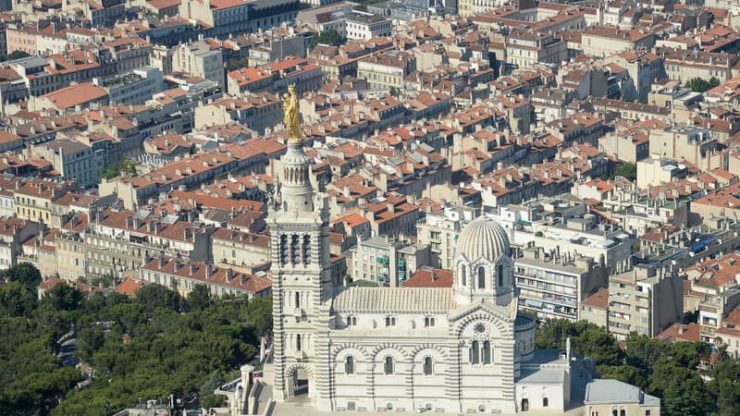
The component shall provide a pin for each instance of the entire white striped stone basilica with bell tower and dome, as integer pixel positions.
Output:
(459, 349)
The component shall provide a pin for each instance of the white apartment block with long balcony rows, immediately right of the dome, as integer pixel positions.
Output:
(553, 286)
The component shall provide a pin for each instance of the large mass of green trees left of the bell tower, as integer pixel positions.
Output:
(144, 348)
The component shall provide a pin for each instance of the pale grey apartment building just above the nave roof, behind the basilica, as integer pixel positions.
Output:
(387, 262)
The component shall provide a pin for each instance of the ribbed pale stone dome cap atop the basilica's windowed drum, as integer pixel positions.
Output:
(483, 237)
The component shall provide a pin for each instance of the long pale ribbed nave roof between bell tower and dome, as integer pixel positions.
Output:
(398, 300)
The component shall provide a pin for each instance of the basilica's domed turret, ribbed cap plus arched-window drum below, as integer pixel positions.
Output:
(483, 265)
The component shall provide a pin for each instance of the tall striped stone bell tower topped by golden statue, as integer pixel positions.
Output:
(302, 285)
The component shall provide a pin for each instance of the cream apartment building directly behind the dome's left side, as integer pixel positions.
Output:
(441, 229)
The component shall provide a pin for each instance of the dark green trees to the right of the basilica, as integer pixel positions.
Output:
(668, 371)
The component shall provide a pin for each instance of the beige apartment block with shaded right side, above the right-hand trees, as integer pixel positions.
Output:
(644, 301)
